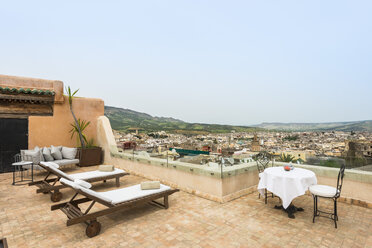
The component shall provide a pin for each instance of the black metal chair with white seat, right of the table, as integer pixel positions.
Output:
(329, 192)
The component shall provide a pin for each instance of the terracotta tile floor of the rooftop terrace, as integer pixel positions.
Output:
(26, 221)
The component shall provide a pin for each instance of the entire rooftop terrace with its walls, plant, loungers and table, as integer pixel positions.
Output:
(65, 183)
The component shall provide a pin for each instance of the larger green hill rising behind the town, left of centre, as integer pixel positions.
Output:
(124, 119)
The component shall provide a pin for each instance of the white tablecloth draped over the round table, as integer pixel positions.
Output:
(286, 184)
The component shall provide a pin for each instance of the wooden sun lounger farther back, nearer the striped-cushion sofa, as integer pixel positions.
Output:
(51, 186)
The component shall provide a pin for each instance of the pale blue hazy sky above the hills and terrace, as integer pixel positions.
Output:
(233, 62)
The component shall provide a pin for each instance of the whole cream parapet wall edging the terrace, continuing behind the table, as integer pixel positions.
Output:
(217, 185)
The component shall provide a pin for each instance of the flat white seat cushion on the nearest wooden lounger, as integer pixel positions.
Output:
(130, 193)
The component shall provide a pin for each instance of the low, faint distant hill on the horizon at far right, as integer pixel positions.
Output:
(364, 126)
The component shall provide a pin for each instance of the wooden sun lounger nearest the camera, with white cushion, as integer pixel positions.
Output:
(75, 215)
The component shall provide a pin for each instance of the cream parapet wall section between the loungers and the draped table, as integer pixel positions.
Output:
(208, 183)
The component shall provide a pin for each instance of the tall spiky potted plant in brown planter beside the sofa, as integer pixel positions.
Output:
(89, 154)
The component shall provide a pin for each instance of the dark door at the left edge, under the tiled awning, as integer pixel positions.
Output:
(13, 138)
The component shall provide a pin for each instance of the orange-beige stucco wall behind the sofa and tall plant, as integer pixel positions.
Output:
(54, 130)
